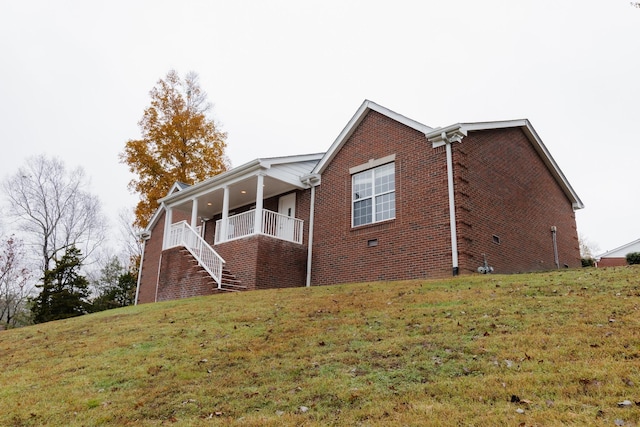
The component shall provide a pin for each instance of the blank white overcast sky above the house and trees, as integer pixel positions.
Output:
(286, 76)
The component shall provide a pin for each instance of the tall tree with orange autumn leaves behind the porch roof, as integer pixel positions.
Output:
(180, 143)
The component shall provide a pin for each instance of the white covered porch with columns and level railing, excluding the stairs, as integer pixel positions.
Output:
(233, 203)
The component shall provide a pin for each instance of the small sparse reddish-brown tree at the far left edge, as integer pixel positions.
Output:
(15, 284)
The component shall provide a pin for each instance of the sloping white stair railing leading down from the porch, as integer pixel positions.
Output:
(182, 234)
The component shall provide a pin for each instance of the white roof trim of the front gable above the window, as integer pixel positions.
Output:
(352, 125)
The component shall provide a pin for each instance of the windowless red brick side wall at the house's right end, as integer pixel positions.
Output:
(504, 189)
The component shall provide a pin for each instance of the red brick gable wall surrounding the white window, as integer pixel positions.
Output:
(414, 245)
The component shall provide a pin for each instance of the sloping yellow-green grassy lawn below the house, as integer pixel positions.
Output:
(538, 349)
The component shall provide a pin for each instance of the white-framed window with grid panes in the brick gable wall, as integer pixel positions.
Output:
(374, 195)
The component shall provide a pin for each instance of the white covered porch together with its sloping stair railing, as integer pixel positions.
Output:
(260, 199)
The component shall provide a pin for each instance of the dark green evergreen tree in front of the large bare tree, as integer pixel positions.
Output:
(64, 291)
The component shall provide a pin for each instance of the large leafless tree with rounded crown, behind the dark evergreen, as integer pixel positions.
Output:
(53, 209)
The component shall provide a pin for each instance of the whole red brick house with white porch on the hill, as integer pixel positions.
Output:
(391, 199)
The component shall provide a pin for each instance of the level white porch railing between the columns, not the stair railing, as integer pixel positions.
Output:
(273, 224)
